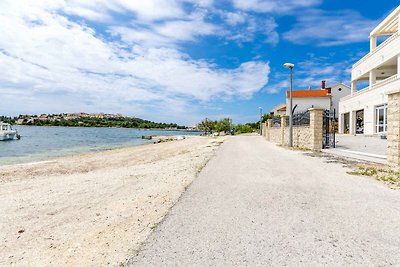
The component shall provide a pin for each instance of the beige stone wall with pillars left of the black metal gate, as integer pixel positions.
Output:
(307, 137)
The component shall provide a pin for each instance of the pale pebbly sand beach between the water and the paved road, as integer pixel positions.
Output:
(94, 209)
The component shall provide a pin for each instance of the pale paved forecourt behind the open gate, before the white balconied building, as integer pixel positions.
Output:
(370, 148)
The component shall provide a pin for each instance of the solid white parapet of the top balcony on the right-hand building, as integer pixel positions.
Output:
(384, 52)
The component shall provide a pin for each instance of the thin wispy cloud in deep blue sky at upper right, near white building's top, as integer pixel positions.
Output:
(330, 28)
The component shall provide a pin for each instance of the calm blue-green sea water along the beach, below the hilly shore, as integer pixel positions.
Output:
(43, 143)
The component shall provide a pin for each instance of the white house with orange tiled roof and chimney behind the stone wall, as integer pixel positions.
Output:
(324, 98)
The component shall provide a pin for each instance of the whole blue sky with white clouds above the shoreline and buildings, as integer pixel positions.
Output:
(175, 60)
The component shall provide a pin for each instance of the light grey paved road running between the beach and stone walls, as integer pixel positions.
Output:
(256, 204)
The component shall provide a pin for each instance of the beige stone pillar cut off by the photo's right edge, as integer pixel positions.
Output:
(393, 134)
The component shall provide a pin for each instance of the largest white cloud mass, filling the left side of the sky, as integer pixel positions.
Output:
(58, 64)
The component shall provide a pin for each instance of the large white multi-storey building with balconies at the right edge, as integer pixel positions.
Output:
(365, 111)
